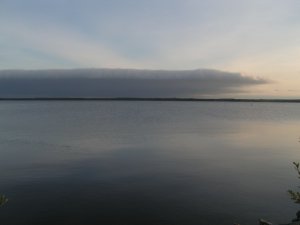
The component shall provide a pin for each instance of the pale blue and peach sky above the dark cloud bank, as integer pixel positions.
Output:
(257, 39)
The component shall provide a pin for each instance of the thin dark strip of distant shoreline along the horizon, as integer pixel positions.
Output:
(152, 99)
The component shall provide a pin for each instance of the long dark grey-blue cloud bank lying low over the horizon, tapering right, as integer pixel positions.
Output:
(121, 83)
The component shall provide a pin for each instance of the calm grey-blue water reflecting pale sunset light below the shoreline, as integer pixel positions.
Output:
(140, 163)
